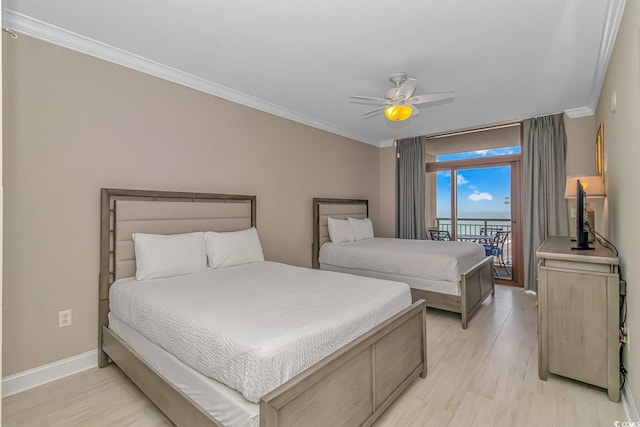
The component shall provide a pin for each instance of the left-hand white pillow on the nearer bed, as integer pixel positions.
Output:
(159, 255)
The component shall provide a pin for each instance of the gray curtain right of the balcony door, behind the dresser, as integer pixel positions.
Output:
(545, 208)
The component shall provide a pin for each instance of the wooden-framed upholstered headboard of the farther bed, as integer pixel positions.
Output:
(334, 208)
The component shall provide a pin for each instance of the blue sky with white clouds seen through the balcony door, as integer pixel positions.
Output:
(482, 192)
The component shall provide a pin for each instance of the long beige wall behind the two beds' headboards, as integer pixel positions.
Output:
(74, 124)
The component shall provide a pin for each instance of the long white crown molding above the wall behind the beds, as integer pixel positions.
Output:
(23, 24)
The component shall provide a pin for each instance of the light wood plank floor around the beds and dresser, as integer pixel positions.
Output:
(486, 375)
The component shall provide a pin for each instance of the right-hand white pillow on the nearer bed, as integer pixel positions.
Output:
(233, 248)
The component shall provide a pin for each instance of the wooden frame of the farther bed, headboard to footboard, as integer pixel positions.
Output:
(475, 284)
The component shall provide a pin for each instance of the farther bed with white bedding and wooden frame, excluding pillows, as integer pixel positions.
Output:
(452, 276)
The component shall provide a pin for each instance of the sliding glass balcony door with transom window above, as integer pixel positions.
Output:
(475, 195)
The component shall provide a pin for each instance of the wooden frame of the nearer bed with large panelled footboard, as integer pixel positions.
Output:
(352, 386)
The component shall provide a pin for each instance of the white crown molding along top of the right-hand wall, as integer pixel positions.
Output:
(611, 25)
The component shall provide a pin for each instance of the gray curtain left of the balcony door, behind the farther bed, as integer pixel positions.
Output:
(410, 181)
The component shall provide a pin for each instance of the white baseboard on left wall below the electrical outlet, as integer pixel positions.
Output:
(50, 372)
